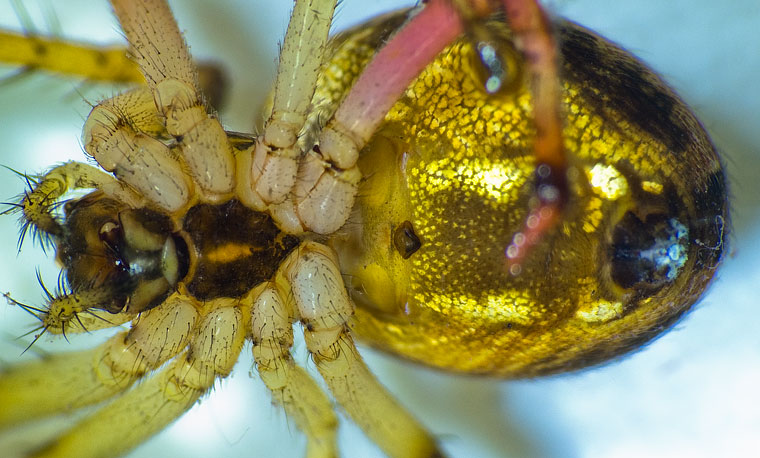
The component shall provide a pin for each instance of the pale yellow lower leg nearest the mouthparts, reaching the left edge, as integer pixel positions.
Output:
(68, 381)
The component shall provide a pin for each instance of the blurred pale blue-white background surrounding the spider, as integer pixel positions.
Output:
(693, 392)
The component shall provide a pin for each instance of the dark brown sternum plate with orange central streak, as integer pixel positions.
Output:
(236, 249)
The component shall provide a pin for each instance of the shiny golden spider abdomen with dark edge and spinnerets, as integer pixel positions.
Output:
(448, 181)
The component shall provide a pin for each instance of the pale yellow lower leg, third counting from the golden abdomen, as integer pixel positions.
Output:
(155, 402)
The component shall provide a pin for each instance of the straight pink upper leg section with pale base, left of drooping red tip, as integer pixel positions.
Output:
(328, 177)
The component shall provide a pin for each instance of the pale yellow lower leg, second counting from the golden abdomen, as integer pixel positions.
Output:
(291, 386)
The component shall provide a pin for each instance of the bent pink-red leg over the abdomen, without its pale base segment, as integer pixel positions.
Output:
(409, 51)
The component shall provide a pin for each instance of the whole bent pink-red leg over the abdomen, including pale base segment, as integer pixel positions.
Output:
(328, 177)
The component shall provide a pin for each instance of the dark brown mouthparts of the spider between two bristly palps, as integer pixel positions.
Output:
(131, 256)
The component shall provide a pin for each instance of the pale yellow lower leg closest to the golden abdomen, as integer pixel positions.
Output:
(311, 277)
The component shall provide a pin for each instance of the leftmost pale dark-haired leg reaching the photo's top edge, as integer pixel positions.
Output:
(160, 51)
